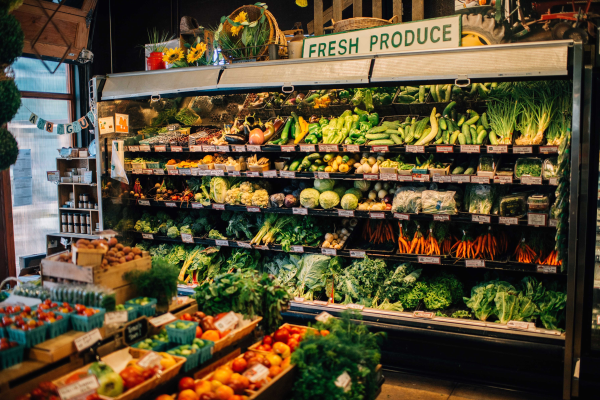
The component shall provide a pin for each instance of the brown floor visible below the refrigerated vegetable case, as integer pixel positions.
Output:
(399, 386)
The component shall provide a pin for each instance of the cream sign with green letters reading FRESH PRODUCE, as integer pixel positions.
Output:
(438, 33)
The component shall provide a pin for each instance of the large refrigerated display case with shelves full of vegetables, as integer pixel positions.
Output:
(464, 213)
